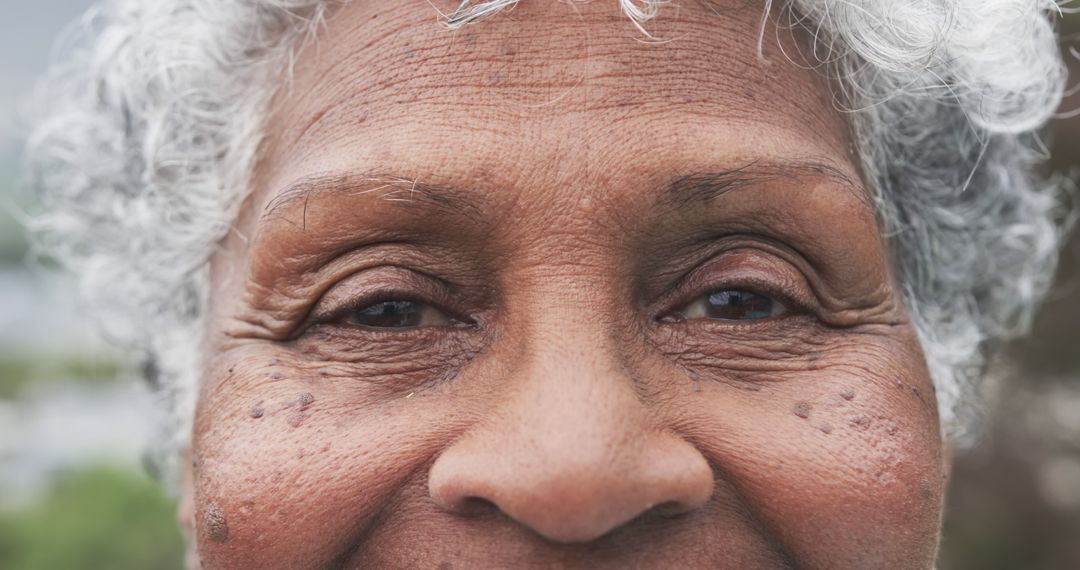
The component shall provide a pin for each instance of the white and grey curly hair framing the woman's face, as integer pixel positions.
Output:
(151, 123)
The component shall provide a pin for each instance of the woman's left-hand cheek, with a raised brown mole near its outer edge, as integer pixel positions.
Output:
(290, 470)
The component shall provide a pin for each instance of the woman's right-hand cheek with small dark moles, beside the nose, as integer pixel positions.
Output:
(842, 460)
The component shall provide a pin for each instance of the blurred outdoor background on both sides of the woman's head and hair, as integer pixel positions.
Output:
(74, 490)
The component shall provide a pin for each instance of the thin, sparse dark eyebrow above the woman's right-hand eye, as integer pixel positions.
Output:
(704, 187)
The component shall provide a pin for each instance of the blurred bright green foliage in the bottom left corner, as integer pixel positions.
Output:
(96, 519)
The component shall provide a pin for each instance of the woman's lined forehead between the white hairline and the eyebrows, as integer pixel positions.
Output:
(569, 93)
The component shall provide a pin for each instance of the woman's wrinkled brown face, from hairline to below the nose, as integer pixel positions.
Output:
(558, 200)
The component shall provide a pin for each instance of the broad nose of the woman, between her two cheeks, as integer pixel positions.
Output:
(573, 454)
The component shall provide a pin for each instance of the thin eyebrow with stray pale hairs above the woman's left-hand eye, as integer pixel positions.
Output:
(400, 192)
